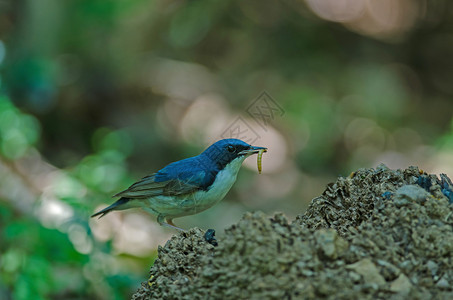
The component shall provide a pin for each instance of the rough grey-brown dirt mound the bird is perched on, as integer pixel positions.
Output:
(377, 234)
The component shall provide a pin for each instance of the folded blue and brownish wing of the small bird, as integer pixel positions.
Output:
(181, 177)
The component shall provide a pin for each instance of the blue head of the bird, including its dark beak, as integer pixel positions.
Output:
(226, 151)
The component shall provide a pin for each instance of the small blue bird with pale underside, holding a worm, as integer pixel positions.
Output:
(189, 186)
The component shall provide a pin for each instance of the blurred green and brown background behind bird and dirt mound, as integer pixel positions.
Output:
(96, 94)
